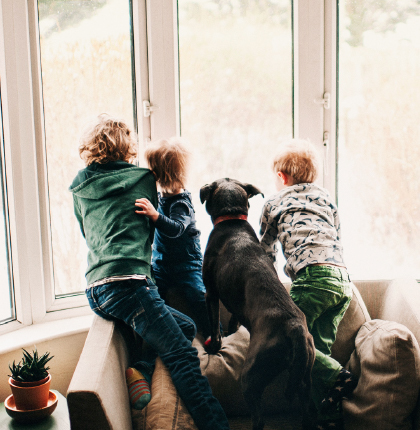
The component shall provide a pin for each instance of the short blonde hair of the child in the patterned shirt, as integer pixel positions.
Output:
(299, 159)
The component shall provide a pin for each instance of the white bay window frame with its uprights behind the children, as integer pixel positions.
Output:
(155, 29)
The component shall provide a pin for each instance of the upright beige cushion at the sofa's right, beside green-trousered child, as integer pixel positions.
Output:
(387, 362)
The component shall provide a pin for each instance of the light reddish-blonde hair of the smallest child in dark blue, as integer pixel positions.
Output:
(168, 160)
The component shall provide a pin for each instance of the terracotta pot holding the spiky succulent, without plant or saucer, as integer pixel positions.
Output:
(31, 395)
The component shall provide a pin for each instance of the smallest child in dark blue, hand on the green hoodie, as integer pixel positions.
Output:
(176, 256)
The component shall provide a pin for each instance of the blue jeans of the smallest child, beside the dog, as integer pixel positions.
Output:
(190, 291)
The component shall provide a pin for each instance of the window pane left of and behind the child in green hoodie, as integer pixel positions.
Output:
(86, 66)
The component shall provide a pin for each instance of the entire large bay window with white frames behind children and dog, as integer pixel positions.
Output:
(234, 78)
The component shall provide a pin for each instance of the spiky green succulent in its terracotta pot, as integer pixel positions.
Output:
(30, 381)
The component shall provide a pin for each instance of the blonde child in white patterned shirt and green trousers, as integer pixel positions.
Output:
(303, 218)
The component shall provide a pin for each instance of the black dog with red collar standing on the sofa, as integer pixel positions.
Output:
(237, 271)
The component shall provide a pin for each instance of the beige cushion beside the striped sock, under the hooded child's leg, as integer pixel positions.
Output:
(166, 410)
